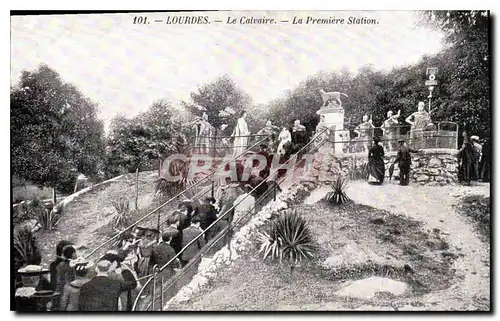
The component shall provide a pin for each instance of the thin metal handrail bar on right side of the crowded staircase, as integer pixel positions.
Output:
(294, 156)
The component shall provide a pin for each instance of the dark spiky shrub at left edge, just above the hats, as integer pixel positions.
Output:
(25, 249)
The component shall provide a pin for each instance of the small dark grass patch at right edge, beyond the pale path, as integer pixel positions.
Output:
(478, 209)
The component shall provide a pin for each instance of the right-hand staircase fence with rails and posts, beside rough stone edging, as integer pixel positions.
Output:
(156, 300)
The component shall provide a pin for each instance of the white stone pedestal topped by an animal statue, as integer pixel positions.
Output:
(333, 113)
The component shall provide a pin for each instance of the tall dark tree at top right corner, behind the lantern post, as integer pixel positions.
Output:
(468, 59)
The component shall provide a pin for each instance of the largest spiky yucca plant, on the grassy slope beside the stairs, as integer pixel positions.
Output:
(289, 239)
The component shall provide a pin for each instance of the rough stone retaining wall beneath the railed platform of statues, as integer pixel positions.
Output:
(429, 167)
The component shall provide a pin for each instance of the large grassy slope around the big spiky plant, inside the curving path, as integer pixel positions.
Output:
(391, 246)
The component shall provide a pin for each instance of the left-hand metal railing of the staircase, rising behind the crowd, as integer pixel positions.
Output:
(111, 242)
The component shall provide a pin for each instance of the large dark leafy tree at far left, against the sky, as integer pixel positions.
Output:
(55, 130)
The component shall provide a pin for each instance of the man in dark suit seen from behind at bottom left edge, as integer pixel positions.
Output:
(102, 292)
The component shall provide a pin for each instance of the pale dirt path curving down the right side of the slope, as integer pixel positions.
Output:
(434, 206)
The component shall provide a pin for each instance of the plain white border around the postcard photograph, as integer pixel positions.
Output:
(193, 5)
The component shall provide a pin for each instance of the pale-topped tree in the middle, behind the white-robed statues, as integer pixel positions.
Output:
(221, 99)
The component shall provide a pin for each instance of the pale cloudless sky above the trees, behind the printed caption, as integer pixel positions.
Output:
(125, 67)
